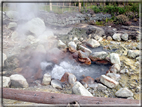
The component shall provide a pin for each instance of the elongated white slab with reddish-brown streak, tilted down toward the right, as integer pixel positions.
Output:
(108, 81)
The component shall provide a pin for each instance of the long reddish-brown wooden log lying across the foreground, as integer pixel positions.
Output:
(54, 98)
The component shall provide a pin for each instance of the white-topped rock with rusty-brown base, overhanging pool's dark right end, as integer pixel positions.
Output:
(98, 56)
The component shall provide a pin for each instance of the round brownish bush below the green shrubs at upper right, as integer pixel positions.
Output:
(122, 19)
